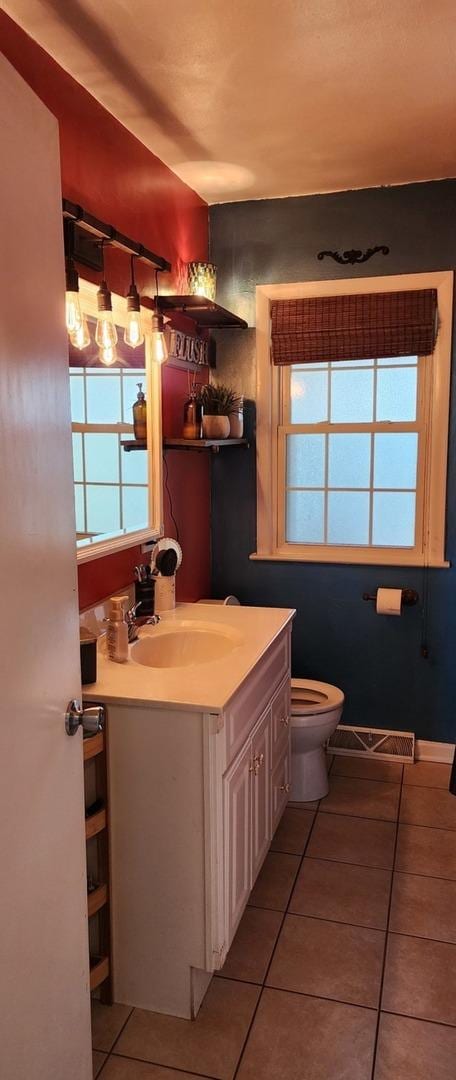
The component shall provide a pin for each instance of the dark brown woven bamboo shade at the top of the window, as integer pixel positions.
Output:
(365, 327)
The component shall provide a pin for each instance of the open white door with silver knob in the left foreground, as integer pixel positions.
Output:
(45, 1003)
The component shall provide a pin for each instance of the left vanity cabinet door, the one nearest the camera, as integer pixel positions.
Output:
(237, 813)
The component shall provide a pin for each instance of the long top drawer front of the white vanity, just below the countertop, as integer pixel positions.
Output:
(253, 698)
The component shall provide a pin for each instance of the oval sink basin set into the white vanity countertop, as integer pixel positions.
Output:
(184, 646)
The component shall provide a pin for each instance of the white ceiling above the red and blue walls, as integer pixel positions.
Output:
(262, 99)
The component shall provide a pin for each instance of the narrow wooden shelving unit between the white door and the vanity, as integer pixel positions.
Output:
(97, 832)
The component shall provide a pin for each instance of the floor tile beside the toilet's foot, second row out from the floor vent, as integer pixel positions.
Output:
(364, 799)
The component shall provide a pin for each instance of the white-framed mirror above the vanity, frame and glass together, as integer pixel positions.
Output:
(116, 493)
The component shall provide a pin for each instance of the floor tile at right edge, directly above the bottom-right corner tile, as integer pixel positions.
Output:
(421, 979)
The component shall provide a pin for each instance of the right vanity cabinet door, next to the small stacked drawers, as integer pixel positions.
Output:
(261, 793)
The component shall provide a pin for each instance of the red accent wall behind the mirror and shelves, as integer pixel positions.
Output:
(117, 179)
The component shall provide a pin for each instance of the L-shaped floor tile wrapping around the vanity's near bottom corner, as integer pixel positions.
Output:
(211, 1045)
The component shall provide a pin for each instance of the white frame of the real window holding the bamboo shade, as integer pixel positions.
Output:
(436, 380)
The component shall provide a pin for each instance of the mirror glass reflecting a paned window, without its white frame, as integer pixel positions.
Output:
(111, 485)
